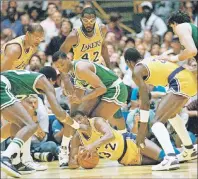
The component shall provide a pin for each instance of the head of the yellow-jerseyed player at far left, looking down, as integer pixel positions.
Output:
(35, 34)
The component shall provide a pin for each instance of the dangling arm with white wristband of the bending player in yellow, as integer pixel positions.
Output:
(138, 75)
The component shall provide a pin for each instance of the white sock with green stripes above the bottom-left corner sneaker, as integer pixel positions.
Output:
(14, 147)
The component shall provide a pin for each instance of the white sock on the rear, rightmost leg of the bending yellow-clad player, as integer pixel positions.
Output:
(180, 128)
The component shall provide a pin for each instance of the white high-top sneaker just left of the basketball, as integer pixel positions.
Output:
(63, 157)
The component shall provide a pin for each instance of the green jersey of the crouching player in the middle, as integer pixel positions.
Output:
(107, 76)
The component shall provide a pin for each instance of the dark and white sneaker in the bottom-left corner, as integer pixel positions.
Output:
(8, 168)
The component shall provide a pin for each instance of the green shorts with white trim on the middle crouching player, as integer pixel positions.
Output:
(117, 94)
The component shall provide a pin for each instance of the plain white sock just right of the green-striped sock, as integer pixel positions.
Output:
(25, 150)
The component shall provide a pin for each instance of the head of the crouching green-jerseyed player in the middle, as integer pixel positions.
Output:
(61, 62)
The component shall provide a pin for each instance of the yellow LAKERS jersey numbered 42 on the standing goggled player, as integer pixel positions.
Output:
(89, 48)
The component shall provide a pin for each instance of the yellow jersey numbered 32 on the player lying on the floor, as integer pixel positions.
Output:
(111, 150)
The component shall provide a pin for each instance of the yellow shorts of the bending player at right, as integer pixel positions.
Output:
(183, 82)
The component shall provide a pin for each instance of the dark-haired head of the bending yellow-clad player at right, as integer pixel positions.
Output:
(132, 56)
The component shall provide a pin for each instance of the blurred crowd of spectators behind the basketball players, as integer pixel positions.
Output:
(153, 37)
